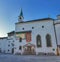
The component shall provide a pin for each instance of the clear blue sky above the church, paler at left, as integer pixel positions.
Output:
(32, 9)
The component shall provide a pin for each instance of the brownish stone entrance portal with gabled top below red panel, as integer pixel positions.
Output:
(29, 49)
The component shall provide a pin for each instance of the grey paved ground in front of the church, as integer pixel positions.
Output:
(18, 58)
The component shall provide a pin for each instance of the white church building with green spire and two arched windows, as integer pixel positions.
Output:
(40, 36)
